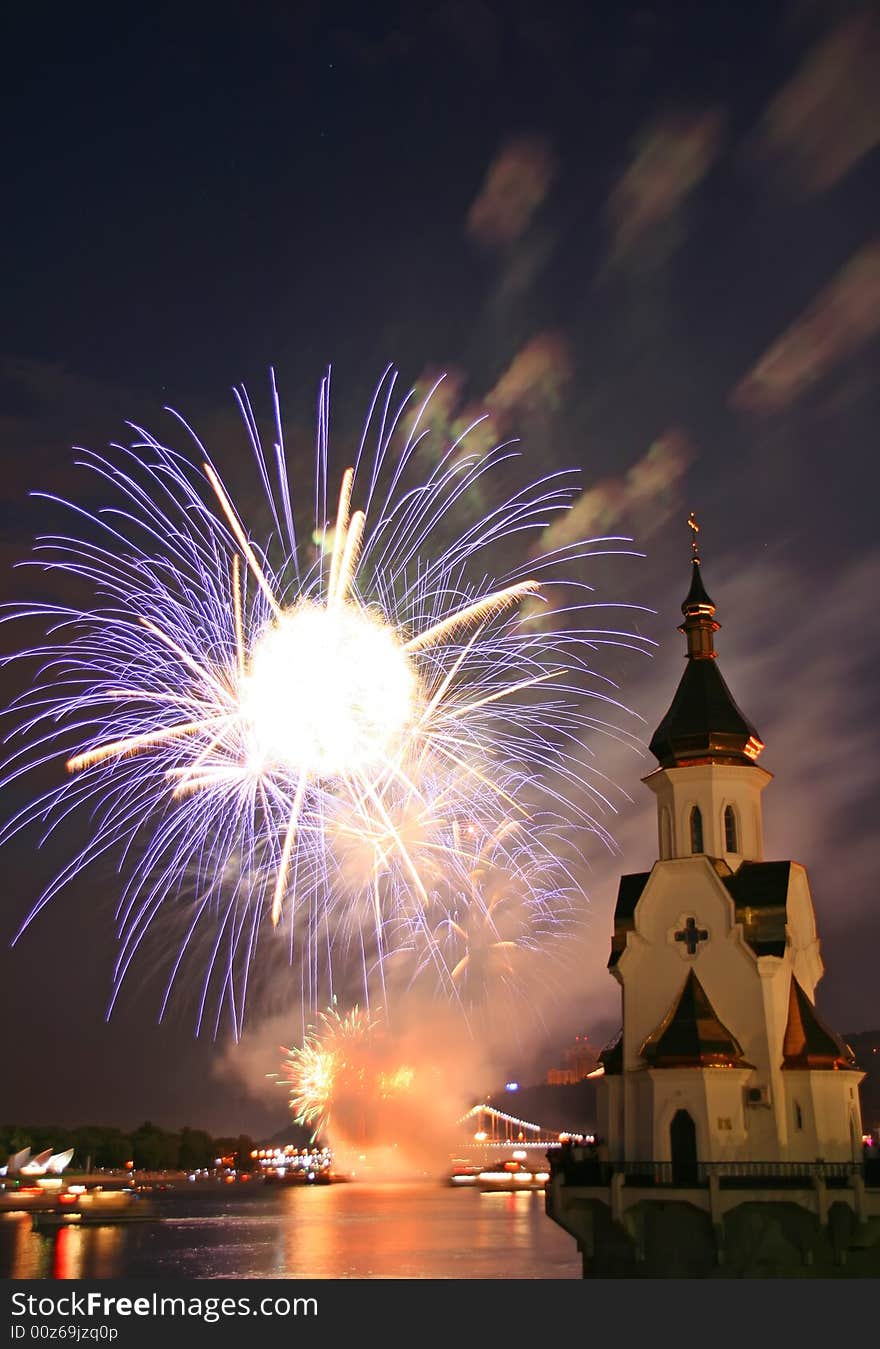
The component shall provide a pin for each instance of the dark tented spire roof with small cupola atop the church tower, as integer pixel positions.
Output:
(704, 722)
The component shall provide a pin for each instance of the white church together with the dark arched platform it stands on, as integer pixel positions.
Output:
(725, 1100)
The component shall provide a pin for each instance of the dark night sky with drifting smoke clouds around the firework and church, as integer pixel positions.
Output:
(644, 238)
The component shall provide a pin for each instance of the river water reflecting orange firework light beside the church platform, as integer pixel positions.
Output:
(358, 1231)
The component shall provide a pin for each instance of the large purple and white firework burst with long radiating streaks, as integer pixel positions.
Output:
(356, 736)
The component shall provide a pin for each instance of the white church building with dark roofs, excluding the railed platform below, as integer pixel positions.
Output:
(723, 1057)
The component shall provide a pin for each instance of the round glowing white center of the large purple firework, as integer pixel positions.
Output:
(330, 691)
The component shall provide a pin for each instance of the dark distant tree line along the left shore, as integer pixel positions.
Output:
(149, 1147)
